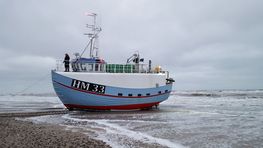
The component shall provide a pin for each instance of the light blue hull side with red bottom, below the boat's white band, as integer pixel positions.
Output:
(110, 98)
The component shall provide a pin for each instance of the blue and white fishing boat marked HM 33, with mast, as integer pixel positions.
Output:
(93, 83)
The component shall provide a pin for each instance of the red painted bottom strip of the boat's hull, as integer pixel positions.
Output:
(120, 107)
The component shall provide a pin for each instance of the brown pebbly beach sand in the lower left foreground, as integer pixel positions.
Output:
(19, 133)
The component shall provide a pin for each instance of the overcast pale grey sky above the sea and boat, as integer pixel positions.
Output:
(203, 44)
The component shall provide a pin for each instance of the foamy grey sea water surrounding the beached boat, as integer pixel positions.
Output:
(187, 119)
